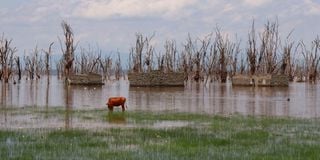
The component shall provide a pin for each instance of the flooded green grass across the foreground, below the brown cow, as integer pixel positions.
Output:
(143, 135)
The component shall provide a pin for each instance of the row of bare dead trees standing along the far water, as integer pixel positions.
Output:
(212, 58)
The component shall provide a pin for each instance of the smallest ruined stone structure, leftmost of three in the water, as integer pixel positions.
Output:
(85, 79)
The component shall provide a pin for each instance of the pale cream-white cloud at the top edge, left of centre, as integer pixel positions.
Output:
(131, 8)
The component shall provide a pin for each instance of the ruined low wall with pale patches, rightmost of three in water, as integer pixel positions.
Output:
(267, 80)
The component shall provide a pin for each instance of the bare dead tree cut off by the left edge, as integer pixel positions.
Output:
(6, 58)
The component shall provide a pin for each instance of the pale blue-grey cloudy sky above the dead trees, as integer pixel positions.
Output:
(112, 24)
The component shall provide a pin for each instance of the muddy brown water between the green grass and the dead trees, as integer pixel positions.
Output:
(298, 100)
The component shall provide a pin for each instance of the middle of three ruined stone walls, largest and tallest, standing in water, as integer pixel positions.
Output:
(156, 78)
